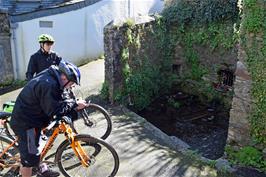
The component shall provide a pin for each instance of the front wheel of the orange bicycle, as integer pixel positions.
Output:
(104, 160)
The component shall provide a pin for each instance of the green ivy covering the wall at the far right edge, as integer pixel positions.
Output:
(253, 38)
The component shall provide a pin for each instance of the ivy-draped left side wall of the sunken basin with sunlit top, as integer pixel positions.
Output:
(135, 69)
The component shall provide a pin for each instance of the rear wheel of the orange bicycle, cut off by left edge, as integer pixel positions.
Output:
(10, 160)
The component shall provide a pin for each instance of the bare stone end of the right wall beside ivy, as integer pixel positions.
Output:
(239, 126)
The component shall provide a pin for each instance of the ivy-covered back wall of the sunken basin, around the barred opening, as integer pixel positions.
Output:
(204, 37)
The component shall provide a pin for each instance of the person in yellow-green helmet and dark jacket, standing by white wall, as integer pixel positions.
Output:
(43, 58)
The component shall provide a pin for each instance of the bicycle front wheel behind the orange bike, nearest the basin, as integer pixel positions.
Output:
(95, 121)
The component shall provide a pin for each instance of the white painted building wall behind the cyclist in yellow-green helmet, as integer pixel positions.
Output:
(79, 33)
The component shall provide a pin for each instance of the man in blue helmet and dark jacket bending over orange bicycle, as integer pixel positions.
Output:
(38, 102)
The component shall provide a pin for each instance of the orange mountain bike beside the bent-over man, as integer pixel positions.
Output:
(76, 154)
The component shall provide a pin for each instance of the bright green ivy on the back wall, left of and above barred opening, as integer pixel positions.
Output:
(212, 37)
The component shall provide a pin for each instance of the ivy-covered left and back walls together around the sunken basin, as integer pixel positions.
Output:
(197, 35)
